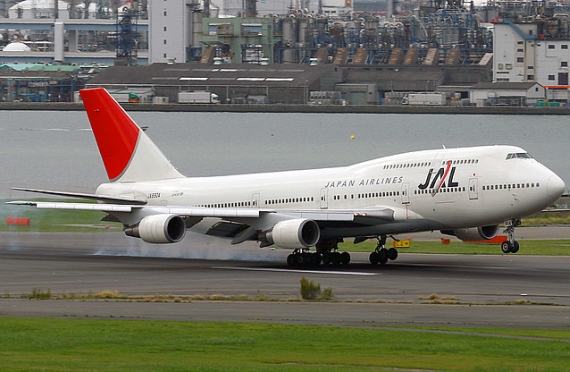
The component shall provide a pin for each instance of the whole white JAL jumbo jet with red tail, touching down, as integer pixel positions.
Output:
(466, 192)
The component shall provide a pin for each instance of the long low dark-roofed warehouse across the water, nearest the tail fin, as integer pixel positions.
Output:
(232, 83)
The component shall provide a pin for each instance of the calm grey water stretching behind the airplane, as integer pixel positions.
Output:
(57, 149)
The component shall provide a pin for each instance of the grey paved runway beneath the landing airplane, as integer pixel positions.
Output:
(483, 291)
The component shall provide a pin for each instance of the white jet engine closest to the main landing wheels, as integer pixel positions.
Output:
(293, 234)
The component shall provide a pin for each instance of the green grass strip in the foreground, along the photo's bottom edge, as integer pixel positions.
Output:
(121, 345)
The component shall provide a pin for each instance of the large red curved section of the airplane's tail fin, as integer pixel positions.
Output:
(115, 132)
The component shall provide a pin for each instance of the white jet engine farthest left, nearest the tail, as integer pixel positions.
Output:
(159, 228)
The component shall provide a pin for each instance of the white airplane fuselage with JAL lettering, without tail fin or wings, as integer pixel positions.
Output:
(427, 190)
